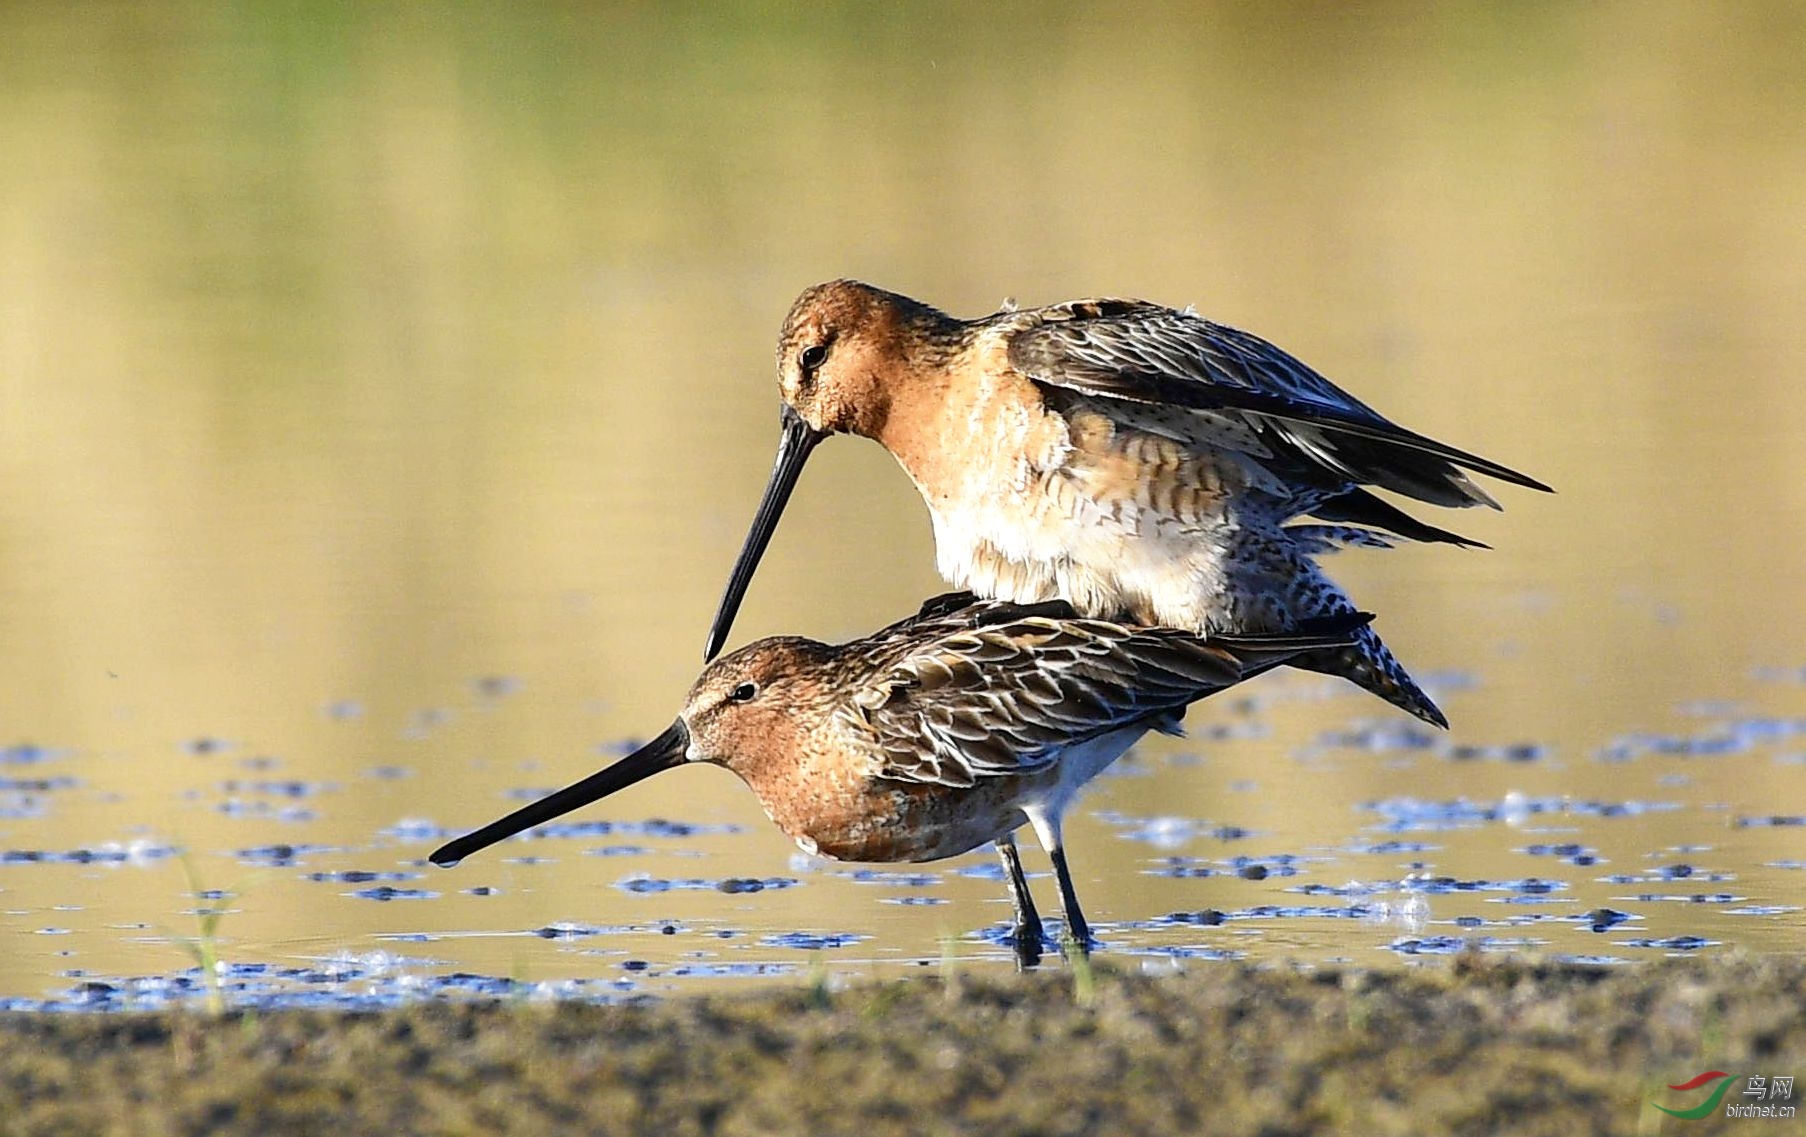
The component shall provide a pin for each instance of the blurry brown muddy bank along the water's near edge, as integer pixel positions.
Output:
(1471, 1048)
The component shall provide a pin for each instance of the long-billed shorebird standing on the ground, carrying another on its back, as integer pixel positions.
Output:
(938, 734)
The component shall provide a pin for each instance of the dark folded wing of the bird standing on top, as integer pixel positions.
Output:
(1247, 394)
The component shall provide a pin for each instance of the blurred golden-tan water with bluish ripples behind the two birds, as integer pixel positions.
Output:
(386, 393)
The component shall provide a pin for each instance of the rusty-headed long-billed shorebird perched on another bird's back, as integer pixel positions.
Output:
(1140, 463)
